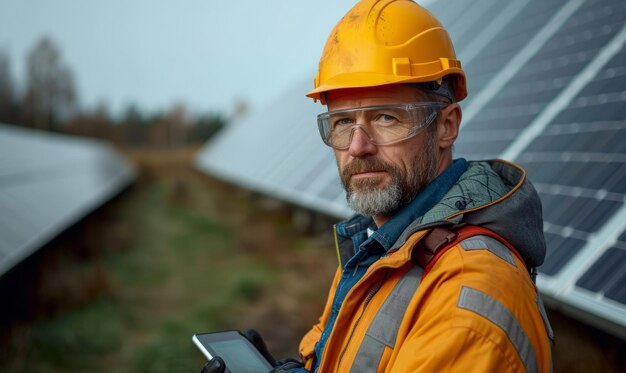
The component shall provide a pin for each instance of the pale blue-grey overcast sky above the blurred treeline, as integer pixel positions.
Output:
(207, 55)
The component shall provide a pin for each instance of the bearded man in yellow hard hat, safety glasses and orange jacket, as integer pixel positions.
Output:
(435, 268)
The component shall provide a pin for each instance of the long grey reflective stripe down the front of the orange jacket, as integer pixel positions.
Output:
(384, 328)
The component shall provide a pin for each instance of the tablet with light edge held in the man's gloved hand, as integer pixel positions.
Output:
(235, 349)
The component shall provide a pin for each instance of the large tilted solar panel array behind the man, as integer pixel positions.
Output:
(547, 89)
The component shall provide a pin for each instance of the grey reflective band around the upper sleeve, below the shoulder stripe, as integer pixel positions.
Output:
(488, 307)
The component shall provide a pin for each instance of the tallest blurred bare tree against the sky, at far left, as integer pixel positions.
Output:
(50, 95)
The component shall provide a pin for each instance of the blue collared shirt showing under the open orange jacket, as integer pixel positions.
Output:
(370, 249)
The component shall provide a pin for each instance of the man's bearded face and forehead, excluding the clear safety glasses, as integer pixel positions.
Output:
(379, 180)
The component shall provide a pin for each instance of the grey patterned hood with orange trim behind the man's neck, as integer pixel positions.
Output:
(495, 195)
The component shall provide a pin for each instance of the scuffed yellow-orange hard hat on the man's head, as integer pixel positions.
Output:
(380, 42)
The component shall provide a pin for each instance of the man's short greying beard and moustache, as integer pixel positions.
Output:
(373, 197)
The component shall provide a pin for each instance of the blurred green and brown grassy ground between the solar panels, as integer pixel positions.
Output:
(178, 253)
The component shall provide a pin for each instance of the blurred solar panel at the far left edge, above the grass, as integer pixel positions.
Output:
(47, 183)
